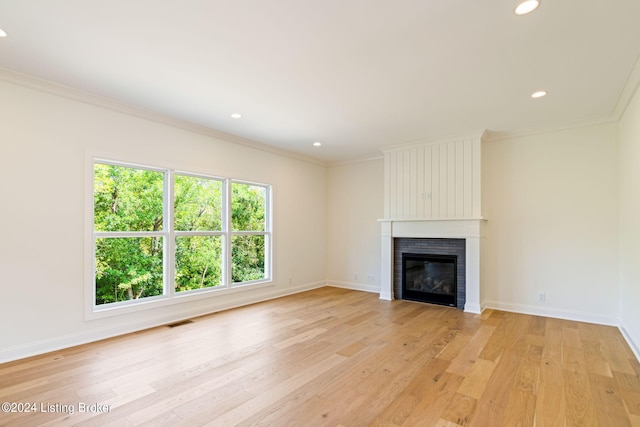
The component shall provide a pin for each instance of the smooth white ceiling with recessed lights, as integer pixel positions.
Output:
(356, 75)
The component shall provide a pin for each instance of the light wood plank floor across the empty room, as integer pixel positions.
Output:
(333, 357)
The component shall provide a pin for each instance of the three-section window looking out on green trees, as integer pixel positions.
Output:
(158, 234)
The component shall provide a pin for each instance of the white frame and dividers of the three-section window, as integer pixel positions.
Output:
(170, 296)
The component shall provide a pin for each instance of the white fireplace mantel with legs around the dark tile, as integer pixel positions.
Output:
(470, 229)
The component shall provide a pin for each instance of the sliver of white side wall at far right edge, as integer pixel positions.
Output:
(629, 134)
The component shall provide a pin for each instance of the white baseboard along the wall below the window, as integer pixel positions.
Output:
(65, 341)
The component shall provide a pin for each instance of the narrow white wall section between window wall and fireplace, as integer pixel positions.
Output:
(355, 204)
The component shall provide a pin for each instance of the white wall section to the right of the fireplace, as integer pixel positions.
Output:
(551, 201)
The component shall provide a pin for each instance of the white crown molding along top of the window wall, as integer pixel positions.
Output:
(67, 92)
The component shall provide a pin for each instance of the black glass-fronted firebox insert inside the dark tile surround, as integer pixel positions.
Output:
(430, 278)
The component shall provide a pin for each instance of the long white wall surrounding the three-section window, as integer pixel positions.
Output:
(45, 141)
